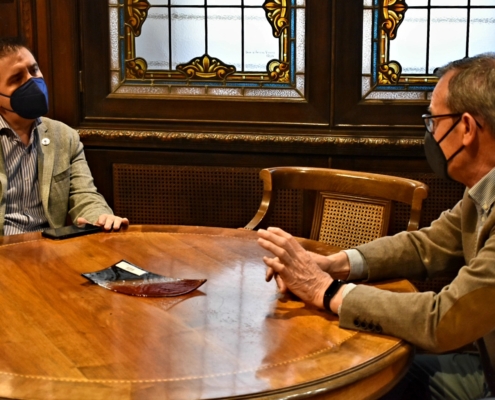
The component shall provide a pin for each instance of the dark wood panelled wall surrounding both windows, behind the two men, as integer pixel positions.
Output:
(334, 128)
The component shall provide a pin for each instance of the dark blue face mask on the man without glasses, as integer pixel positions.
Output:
(30, 100)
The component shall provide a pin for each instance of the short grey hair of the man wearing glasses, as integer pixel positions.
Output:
(472, 87)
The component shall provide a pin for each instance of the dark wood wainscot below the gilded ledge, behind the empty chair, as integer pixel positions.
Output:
(222, 189)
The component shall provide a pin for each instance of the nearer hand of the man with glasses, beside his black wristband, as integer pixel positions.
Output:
(294, 267)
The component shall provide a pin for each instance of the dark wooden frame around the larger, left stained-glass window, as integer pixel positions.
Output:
(99, 105)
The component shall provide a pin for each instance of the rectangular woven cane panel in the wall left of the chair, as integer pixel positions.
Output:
(186, 195)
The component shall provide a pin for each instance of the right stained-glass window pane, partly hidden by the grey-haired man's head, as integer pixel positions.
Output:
(405, 40)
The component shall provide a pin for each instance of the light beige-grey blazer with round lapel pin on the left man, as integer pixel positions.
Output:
(66, 184)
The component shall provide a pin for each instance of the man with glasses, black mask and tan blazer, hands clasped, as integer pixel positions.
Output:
(460, 145)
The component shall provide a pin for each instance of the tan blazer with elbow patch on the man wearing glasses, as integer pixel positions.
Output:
(461, 313)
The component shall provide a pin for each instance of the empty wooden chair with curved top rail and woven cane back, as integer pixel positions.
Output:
(350, 208)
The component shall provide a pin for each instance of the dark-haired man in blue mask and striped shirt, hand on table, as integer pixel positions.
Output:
(43, 172)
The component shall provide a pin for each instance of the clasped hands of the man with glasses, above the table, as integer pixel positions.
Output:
(300, 271)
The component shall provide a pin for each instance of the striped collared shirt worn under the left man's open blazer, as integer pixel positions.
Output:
(24, 210)
